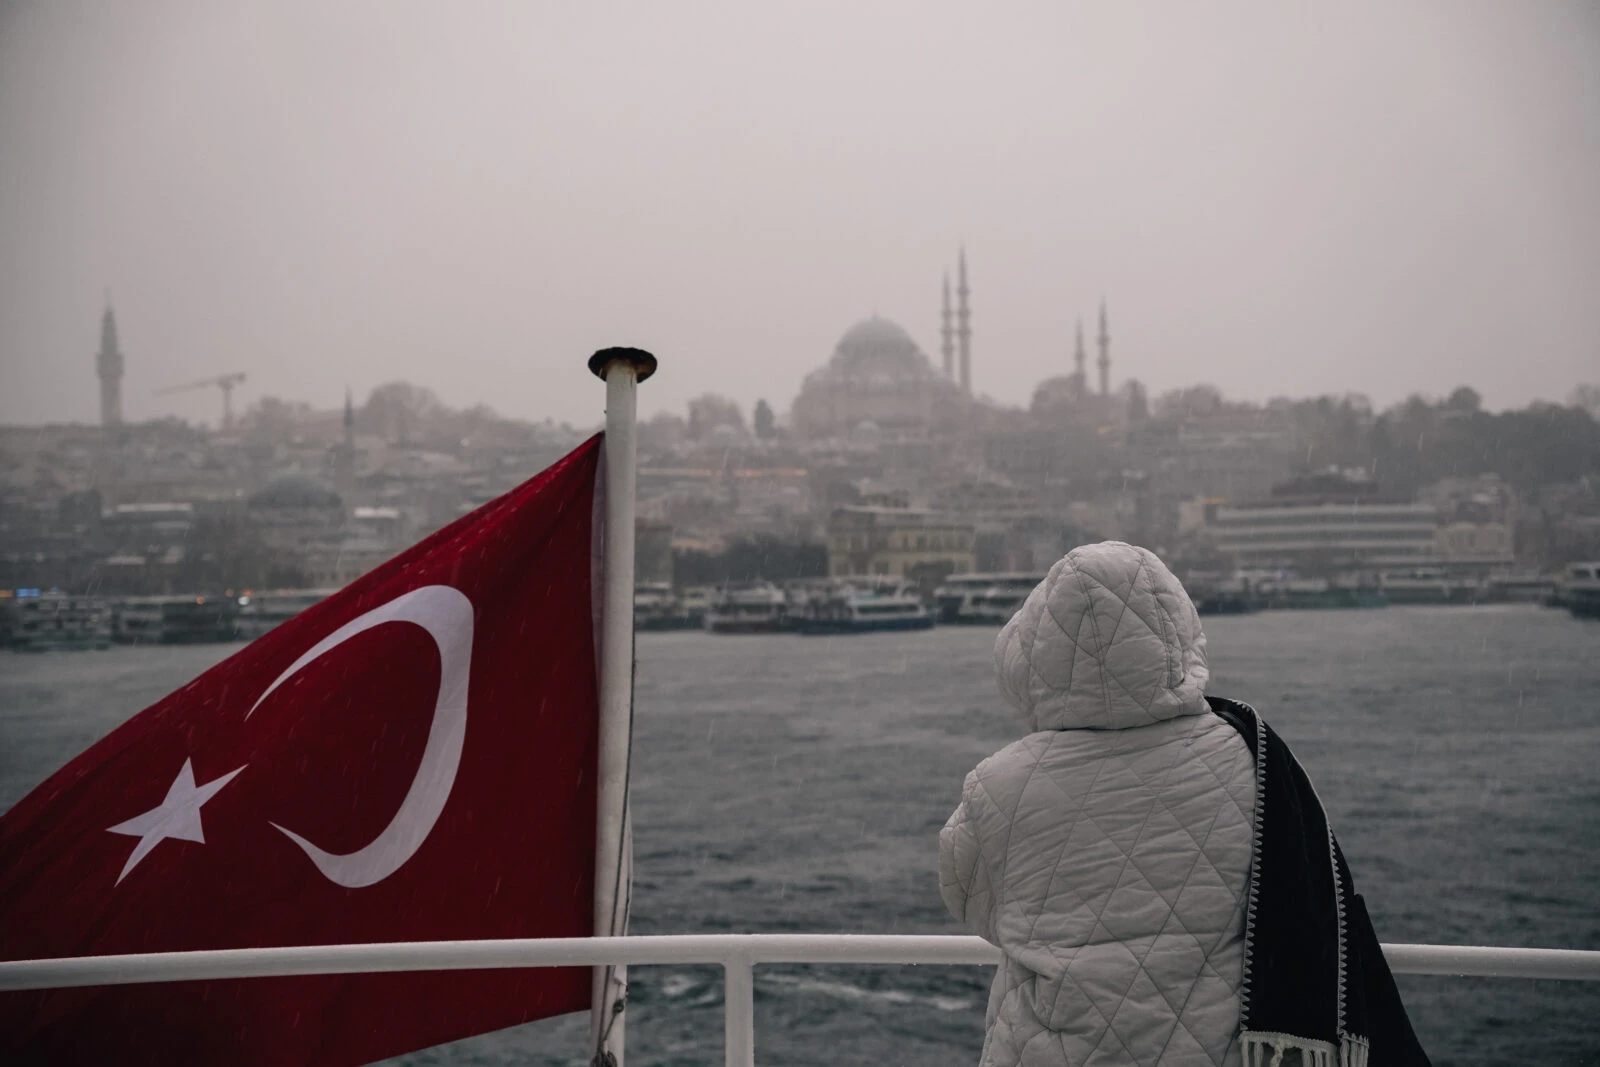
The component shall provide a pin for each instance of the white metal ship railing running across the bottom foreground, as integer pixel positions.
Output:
(737, 954)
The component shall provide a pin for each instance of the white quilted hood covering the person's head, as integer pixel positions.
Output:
(1108, 641)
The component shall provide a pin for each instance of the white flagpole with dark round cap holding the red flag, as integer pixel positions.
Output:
(622, 370)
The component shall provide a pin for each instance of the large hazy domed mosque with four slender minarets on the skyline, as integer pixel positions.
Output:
(879, 380)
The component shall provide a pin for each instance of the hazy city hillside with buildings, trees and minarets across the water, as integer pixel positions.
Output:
(881, 442)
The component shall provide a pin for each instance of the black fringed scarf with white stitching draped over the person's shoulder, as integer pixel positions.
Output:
(1316, 980)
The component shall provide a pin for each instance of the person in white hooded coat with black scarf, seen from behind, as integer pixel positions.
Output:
(1116, 853)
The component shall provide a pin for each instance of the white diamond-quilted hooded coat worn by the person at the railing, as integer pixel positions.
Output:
(1108, 852)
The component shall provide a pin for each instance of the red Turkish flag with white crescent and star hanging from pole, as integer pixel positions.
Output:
(410, 761)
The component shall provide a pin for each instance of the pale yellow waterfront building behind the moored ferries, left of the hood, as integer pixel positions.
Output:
(897, 541)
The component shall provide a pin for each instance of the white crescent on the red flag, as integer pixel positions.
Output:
(447, 617)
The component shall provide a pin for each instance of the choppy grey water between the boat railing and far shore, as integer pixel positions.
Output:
(799, 785)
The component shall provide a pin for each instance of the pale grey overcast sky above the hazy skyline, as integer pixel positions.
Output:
(1377, 198)
